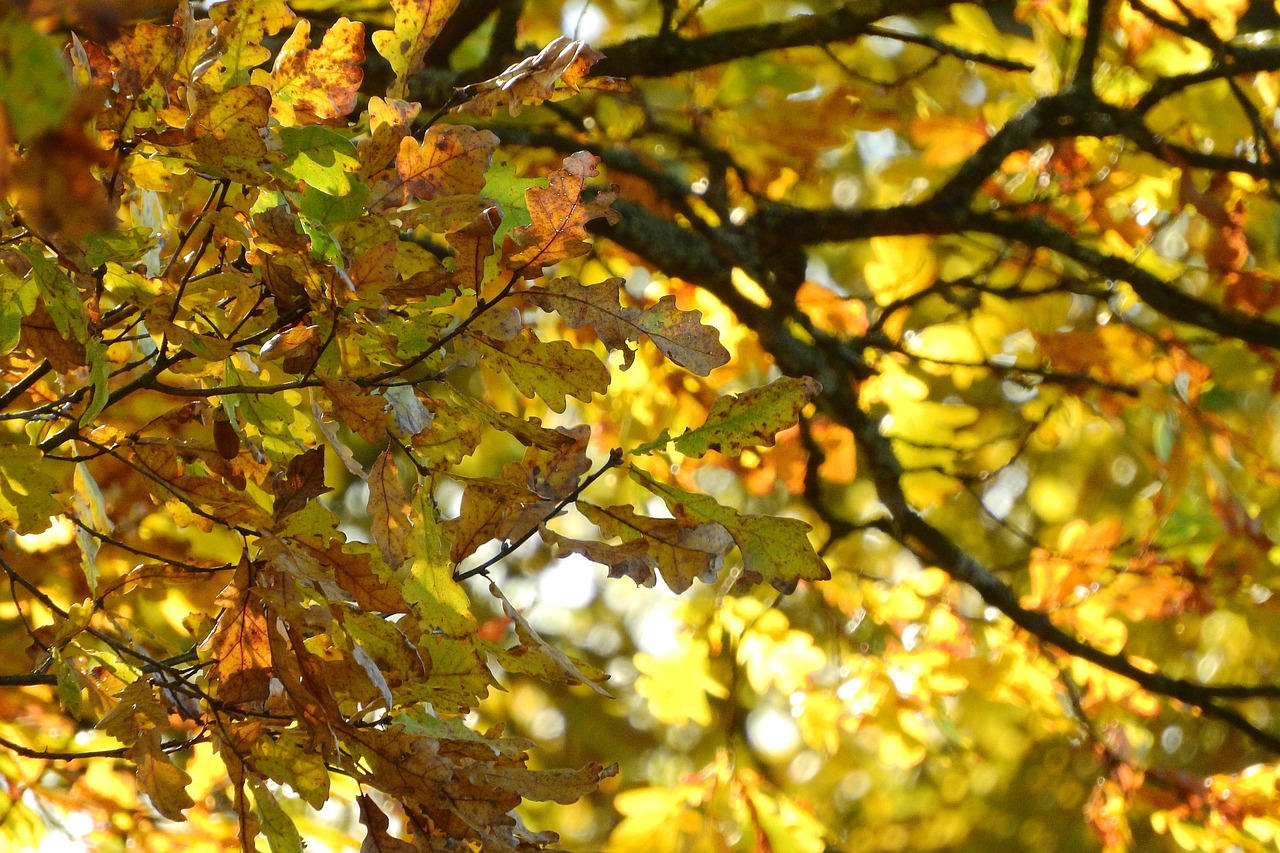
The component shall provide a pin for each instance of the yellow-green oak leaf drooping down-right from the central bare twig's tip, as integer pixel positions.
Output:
(774, 549)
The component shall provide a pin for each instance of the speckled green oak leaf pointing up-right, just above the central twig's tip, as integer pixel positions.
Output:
(739, 422)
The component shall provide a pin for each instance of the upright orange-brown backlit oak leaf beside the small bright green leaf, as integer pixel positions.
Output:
(560, 216)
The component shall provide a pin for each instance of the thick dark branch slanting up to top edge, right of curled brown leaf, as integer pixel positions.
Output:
(668, 56)
